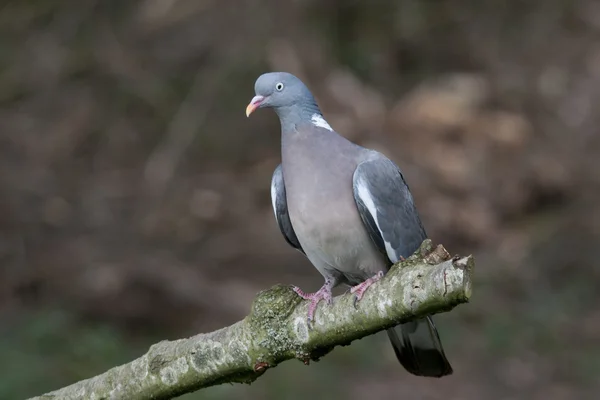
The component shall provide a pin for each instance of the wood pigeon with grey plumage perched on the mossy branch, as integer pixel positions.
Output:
(345, 207)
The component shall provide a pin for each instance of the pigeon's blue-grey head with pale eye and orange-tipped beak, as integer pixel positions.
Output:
(287, 95)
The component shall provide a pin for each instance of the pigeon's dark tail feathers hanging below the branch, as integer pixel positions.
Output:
(419, 349)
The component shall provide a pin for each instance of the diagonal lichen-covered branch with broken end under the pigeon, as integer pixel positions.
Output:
(276, 330)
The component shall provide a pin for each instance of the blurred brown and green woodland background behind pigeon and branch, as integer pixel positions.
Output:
(135, 199)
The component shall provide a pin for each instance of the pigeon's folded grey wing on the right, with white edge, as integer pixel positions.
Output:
(387, 209)
